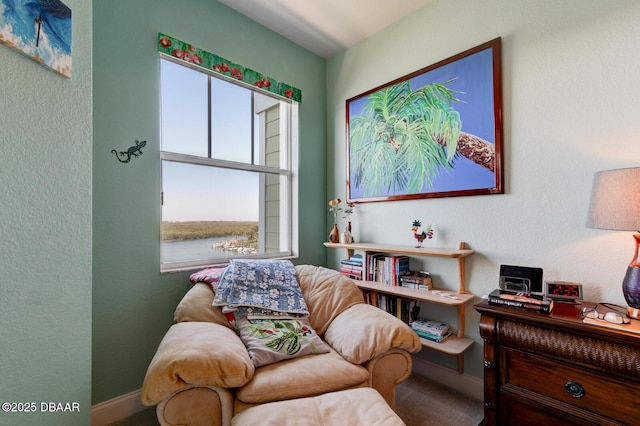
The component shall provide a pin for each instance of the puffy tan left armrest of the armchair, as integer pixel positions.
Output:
(196, 354)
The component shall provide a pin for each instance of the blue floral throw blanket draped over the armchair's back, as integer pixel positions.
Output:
(261, 289)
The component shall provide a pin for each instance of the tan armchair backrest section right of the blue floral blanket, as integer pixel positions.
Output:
(327, 293)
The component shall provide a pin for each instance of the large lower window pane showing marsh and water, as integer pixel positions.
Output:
(213, 213)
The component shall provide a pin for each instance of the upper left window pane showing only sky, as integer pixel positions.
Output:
(184, 103)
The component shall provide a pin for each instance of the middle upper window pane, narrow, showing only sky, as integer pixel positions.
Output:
(231, 122)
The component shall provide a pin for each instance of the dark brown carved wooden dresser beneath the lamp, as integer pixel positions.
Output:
(554, 370)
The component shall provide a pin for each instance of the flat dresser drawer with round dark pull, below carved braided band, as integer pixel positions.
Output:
(583, 391)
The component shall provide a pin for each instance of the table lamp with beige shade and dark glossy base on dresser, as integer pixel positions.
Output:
(615, 205)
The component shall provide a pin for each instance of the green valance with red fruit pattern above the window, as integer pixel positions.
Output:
(196, 56)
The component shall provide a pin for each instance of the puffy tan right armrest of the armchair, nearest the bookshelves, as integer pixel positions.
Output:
(364, 332)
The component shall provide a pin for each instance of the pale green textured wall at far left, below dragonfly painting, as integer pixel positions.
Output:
(45, 232)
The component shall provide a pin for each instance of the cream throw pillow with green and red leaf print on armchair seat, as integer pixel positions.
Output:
(272, 340)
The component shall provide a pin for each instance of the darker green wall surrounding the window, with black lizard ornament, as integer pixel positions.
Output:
(132, 302)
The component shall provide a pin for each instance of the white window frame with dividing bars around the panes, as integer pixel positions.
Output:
(289, 127)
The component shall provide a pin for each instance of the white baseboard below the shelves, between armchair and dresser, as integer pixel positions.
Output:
(469, 385)
